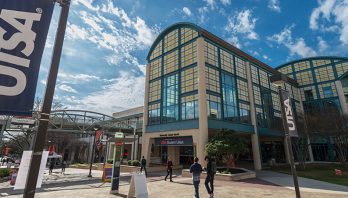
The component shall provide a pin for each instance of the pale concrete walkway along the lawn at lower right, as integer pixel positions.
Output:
(306, 185)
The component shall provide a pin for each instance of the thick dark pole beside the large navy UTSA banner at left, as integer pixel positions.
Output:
(40, 138)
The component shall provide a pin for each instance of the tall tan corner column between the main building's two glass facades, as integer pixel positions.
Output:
(202, 100)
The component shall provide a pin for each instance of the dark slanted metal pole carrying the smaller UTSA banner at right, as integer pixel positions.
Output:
(289, 147)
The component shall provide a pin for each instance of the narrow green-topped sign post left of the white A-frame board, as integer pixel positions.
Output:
(115, 180)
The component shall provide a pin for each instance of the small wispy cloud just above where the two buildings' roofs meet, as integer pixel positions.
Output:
(298, 46)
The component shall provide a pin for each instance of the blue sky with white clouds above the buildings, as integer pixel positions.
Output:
(103, 62)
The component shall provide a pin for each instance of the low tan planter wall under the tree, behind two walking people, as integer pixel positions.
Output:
(246, 174)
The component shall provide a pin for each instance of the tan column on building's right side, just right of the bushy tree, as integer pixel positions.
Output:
(254, 137)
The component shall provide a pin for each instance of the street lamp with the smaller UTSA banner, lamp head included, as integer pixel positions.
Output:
(288, 122)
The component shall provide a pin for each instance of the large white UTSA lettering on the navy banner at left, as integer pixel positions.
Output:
(24, 37)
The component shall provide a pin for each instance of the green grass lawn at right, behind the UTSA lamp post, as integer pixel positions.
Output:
(321, 172)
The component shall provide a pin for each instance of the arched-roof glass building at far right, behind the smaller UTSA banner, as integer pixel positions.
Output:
(323, 83)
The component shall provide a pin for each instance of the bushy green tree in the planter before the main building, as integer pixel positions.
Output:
(228, 145)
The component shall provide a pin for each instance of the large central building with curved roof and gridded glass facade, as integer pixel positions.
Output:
(196, 85)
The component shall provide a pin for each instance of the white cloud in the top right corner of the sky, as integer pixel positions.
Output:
(331, 15)
